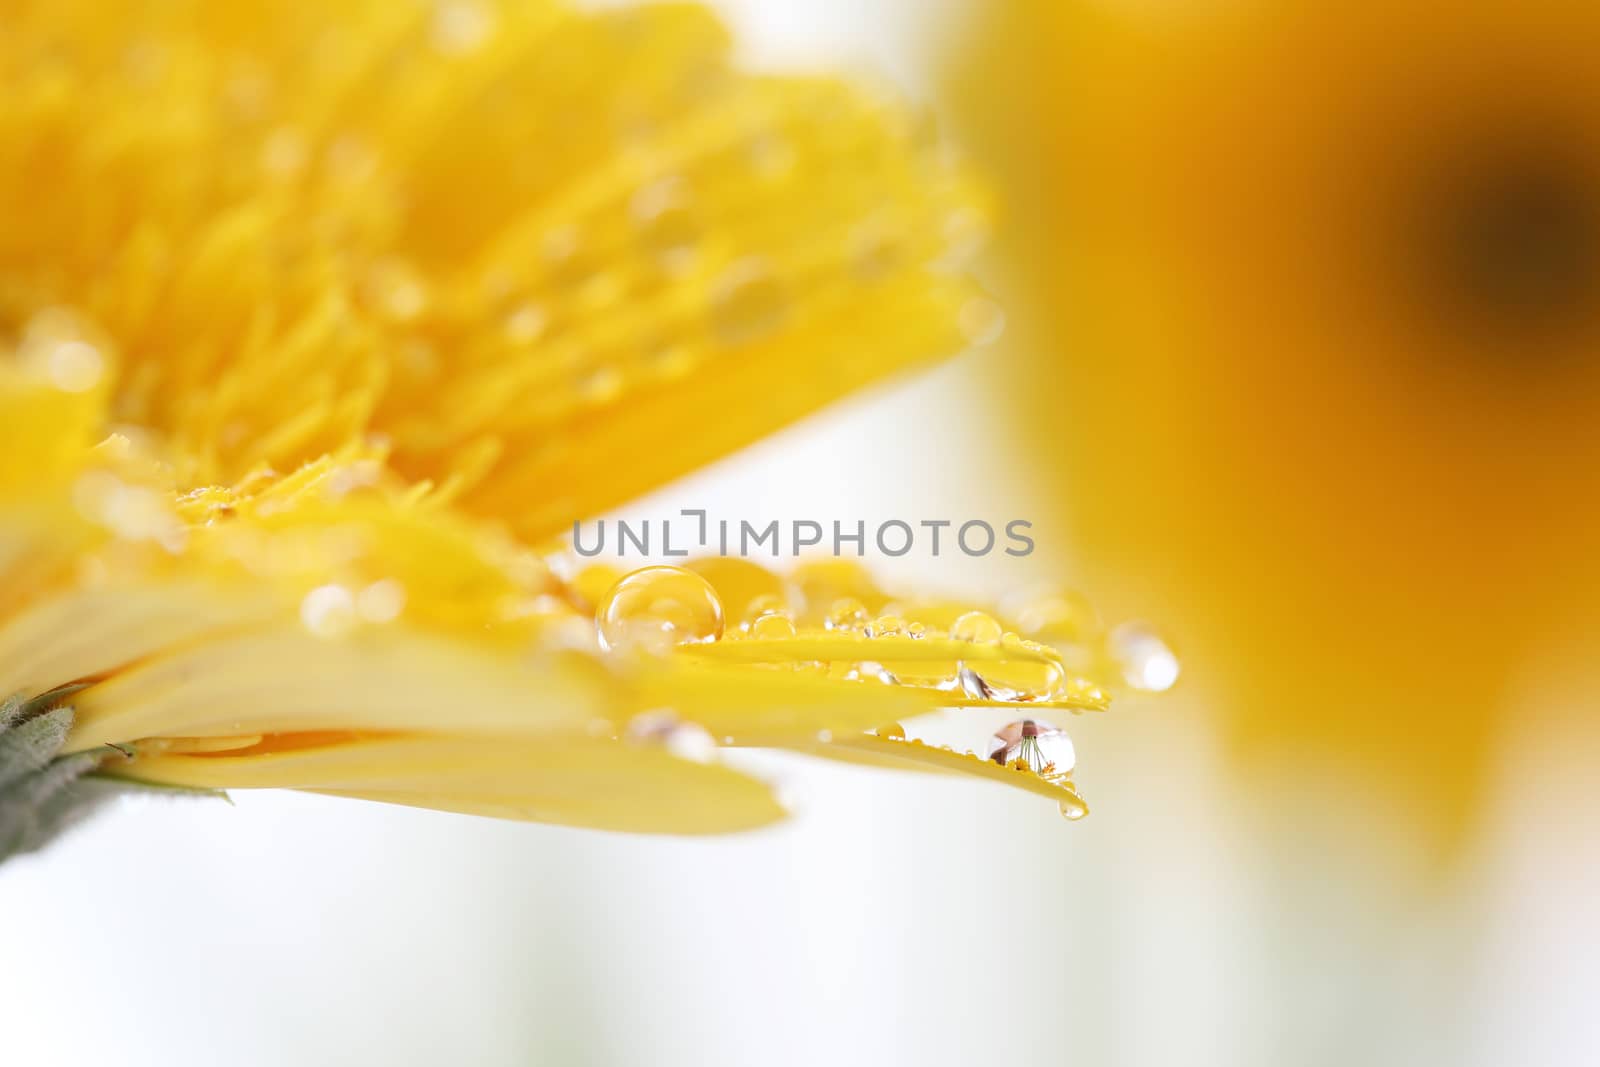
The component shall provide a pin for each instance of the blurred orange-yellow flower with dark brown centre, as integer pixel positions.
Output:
(1318, 289)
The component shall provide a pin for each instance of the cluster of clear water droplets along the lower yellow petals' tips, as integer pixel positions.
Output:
(660, 609)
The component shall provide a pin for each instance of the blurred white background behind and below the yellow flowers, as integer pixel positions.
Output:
(1191, 921)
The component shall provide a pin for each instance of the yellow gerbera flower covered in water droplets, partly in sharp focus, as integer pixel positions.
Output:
(319, 319)
